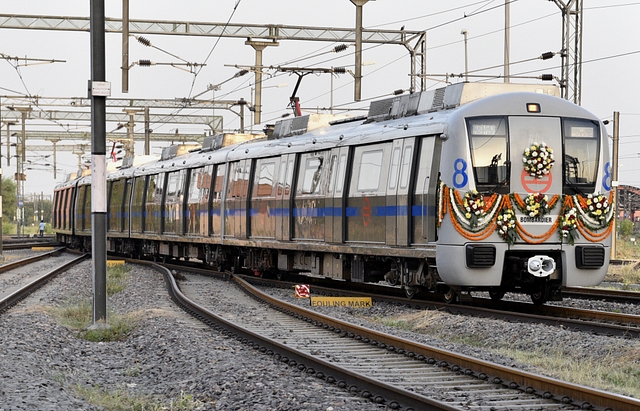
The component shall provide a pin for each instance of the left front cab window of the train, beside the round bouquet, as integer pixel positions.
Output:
(488, 140)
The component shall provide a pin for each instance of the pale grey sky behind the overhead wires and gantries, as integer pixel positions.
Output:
(611, 59)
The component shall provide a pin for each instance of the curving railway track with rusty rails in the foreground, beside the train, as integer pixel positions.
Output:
(389, 370)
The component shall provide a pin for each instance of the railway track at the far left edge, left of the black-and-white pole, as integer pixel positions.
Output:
(24, 281)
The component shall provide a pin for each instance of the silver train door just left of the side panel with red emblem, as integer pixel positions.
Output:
(335, 204)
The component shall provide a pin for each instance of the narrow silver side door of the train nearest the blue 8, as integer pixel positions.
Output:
(424, 209)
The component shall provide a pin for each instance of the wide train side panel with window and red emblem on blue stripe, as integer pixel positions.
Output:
(366, 204)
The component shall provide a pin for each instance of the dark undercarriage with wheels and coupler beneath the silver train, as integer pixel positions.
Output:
(413, 275)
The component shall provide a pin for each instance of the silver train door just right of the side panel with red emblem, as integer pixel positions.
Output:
(398, 199)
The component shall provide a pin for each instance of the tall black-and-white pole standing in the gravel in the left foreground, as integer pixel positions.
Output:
(100, 90)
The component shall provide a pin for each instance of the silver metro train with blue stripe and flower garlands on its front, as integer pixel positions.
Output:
(471, 187)
